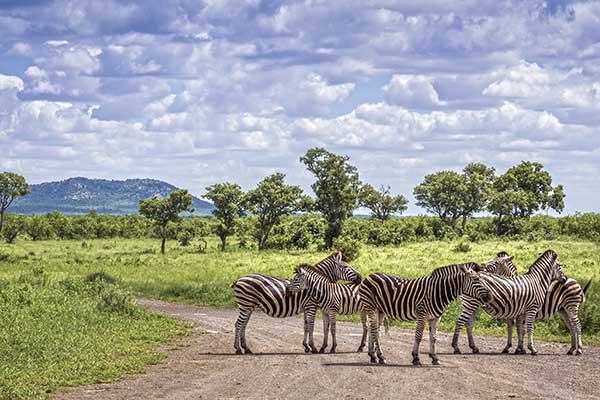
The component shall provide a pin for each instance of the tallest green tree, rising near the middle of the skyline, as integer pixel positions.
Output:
(337, 189)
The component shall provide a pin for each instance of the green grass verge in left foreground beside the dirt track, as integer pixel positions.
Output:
(55, 334)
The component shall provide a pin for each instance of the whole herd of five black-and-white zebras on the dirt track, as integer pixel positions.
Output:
(493, 286)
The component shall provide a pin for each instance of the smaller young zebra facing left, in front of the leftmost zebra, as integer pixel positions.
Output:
(332, 298)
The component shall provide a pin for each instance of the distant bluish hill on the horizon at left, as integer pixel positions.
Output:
(80, 195)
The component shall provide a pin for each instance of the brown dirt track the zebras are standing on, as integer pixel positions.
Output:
(207, 368)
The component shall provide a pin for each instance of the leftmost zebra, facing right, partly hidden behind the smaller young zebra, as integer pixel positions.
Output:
(268, 293)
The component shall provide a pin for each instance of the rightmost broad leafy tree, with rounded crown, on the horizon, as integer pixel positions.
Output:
(522, 191)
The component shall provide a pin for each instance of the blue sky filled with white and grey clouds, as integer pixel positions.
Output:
(201, 92)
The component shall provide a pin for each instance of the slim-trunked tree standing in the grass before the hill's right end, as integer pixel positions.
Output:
(163, 211)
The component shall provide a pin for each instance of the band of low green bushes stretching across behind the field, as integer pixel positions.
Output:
(293, 232)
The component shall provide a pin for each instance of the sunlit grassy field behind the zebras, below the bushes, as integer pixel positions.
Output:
(186, 276)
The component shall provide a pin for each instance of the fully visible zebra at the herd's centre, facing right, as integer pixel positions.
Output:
(421, 299)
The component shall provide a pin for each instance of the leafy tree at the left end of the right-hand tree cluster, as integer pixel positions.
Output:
(441, 193)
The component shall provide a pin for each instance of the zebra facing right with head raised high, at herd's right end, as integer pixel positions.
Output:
(522, 297)
